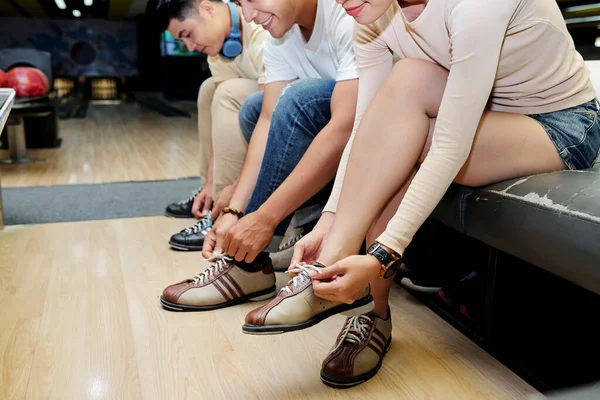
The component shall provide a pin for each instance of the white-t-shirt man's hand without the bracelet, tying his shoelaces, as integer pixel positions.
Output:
(249, 236)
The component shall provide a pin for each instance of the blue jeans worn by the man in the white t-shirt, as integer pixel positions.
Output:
(302, 110)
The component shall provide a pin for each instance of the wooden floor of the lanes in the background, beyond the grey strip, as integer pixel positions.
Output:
(113, 144)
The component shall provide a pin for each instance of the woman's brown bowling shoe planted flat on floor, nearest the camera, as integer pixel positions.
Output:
(358, 351)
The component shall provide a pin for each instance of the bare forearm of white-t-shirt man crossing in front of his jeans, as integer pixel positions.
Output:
(316, 169)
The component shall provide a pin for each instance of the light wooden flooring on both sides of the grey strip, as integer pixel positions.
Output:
(81, 318)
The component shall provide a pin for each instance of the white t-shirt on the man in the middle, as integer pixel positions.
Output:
(327, 55)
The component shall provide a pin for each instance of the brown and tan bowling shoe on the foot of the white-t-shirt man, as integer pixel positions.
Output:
(223, 284)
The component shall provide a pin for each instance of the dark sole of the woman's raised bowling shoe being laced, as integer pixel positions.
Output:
(359, 307)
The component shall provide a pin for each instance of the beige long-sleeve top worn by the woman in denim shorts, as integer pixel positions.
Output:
(507, 55)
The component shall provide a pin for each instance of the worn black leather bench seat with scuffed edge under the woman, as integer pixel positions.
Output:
(550, 220)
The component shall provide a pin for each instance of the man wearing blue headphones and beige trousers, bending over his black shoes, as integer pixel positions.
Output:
(234, 48)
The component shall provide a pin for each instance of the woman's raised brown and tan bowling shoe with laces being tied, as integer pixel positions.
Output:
(297, 307)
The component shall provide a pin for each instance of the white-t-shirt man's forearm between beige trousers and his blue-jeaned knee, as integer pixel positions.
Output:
(249, 175)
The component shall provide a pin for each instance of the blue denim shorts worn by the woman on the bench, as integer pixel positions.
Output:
(575, 132)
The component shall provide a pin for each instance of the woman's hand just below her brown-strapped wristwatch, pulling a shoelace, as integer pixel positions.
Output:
(345, 281)
